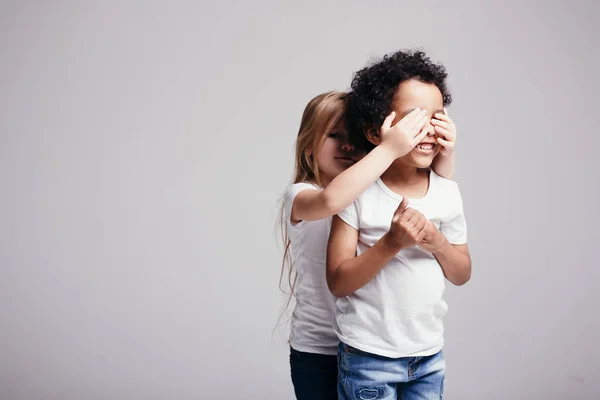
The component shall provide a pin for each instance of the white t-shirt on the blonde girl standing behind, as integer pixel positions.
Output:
(311, 327)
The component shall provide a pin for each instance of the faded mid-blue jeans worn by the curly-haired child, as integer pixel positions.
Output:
(366, 376)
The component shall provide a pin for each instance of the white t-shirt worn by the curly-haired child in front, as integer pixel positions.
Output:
(399, 313)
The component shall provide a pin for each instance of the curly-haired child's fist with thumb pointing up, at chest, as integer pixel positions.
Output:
(408, 226)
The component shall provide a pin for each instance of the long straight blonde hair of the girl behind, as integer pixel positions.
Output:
(319, 118)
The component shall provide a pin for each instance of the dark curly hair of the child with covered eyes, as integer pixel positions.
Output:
(374, 87)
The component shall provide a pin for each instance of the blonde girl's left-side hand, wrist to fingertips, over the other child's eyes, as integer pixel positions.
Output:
(406, 133)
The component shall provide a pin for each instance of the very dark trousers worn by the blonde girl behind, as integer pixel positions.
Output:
(314, 375)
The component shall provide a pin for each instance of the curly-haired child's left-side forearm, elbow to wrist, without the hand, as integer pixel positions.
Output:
(354, 273)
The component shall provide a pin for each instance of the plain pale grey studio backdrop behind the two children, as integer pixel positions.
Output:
(144, 147)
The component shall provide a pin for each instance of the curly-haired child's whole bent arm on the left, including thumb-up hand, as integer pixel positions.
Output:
(346, 272)
